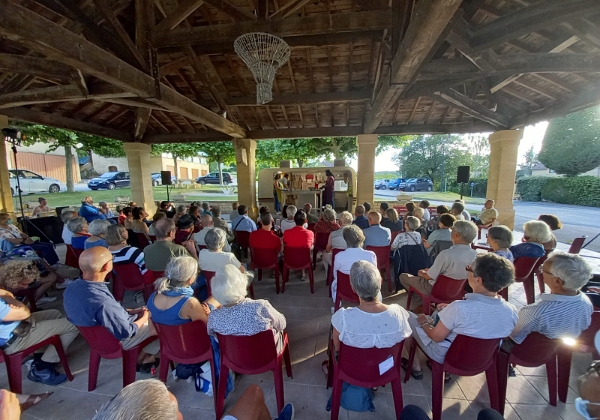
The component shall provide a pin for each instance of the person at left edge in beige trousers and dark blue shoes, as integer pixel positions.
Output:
(19, 329)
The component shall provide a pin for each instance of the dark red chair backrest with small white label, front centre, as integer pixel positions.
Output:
(361, 366)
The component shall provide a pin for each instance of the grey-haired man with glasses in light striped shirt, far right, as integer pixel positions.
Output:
(565, 311)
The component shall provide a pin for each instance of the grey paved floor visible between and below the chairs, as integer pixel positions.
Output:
(308, 317)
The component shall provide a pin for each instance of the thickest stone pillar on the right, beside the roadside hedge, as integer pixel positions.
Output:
(504, 147)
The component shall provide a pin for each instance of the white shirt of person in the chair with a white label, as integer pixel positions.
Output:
(365, 330)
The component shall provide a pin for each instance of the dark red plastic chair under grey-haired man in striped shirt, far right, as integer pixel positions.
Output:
(536, 350)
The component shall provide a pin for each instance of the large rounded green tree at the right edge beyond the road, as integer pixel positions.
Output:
(571, 145)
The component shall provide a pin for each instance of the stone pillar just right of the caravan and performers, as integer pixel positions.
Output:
(365, 190)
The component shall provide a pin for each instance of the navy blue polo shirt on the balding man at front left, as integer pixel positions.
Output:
(90, 303)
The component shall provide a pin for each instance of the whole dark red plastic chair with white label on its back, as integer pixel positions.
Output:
(360, 367)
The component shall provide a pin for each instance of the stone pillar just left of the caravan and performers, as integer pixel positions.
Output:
(245, 157)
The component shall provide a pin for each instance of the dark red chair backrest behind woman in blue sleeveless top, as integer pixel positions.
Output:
(185, 341)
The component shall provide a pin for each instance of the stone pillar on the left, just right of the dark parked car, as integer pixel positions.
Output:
(138, 159)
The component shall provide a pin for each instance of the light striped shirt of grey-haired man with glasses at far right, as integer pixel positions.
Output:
(555, 316)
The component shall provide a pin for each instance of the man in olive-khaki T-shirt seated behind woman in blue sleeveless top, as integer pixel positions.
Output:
(158, 254)
